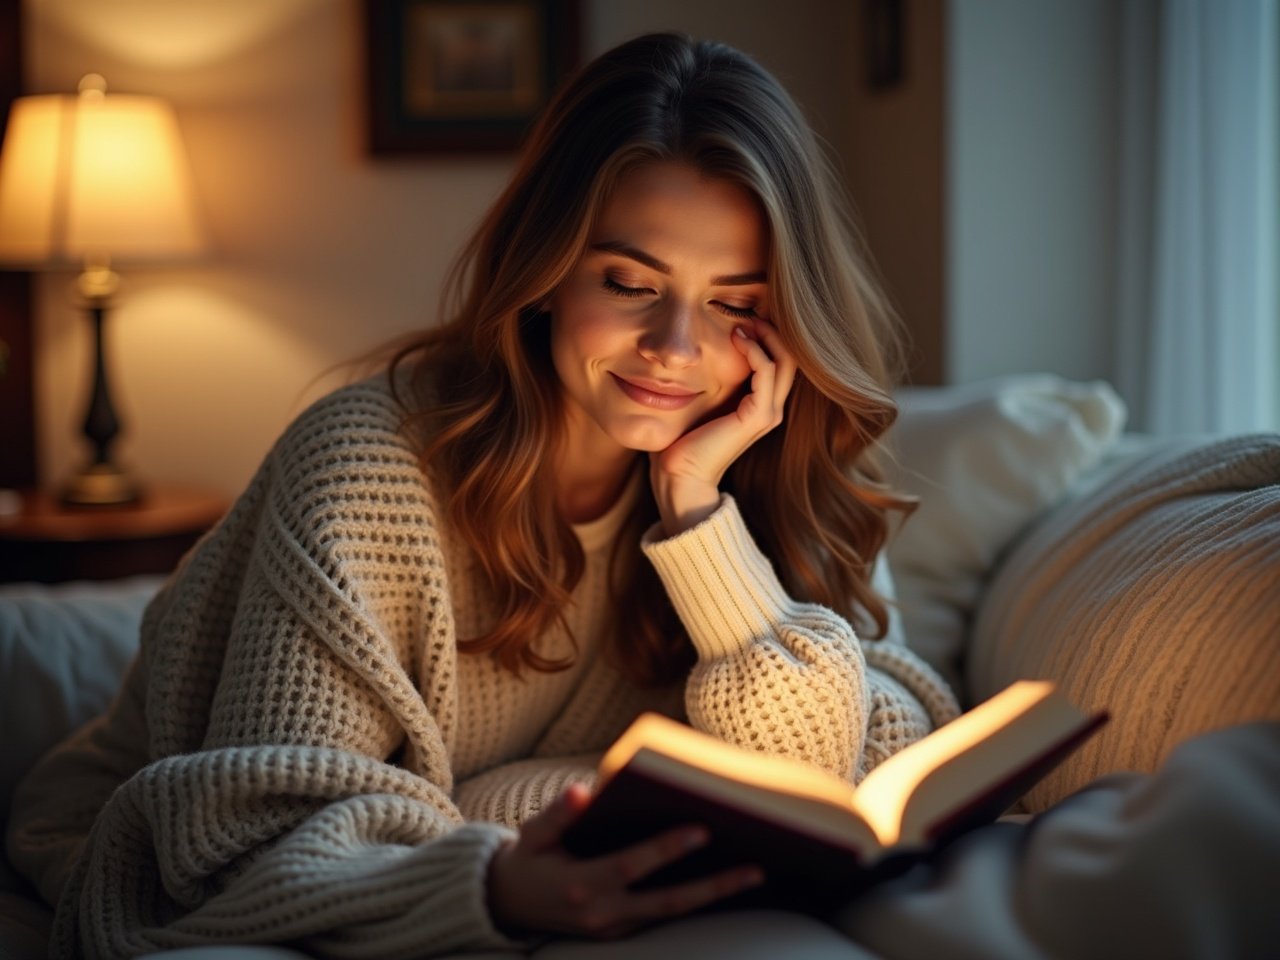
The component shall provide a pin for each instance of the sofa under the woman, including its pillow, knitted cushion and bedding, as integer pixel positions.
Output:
(1141, 575)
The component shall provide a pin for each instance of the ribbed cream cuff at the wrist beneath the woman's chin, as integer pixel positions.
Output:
(723, 587)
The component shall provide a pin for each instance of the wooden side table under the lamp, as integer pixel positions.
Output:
(49, 542)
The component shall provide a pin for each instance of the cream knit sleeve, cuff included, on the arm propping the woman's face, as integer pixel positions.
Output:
(783, 676)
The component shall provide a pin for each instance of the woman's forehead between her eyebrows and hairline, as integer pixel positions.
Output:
(671, 211)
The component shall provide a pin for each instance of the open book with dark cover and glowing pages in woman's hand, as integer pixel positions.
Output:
(817, 838)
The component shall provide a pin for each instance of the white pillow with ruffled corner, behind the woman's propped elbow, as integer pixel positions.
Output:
(985, 459)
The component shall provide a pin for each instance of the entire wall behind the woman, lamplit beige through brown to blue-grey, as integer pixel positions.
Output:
(321, 254)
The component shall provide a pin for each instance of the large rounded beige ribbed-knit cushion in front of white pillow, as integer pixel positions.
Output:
(1155, 596)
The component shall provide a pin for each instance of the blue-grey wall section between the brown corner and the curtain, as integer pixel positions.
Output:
(1031, 188)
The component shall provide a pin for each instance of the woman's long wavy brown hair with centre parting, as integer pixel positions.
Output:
(488, 403)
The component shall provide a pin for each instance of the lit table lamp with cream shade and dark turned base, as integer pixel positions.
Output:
(93, 181)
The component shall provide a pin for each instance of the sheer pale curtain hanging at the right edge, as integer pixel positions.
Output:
(1199, 301)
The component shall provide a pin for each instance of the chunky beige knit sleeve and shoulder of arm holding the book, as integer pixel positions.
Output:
(296, 783)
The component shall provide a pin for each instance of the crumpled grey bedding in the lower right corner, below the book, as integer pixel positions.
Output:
(1178, 866)
